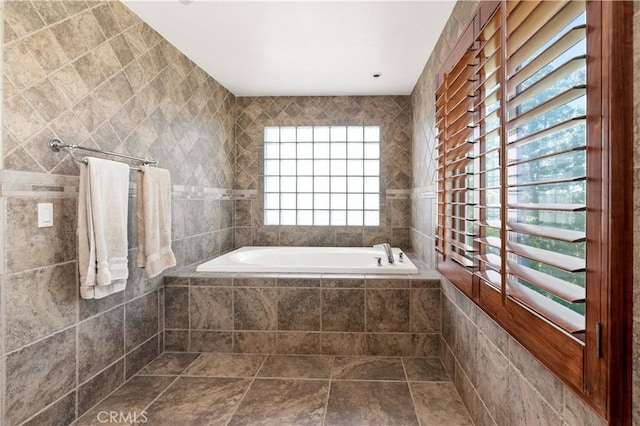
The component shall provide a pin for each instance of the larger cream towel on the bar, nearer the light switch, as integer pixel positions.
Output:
(102, 227)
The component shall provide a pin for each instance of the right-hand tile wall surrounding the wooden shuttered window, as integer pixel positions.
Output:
(488, 366)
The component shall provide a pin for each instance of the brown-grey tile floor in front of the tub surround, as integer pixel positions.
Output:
(239, 389)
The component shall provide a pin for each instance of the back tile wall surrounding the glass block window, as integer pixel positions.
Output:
(392, 113)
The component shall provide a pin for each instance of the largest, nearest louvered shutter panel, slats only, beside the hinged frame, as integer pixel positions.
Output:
(546, 160)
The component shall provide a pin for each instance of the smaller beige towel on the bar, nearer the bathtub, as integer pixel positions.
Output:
(154, 220)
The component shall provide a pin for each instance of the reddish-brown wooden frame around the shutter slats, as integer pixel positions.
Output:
(598, 372)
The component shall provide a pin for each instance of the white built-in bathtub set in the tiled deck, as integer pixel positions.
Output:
(340, 260)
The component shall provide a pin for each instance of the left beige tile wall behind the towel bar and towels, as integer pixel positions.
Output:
(92, 73)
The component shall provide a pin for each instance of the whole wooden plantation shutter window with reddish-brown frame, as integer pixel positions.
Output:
(524, 114)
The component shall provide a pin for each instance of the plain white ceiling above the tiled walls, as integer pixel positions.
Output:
(303, 48)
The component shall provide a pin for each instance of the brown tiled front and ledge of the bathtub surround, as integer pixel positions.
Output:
(390, 315)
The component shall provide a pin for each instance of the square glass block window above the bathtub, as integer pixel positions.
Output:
(322, 175)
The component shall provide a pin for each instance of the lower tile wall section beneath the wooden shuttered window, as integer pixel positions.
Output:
(498, 380)
